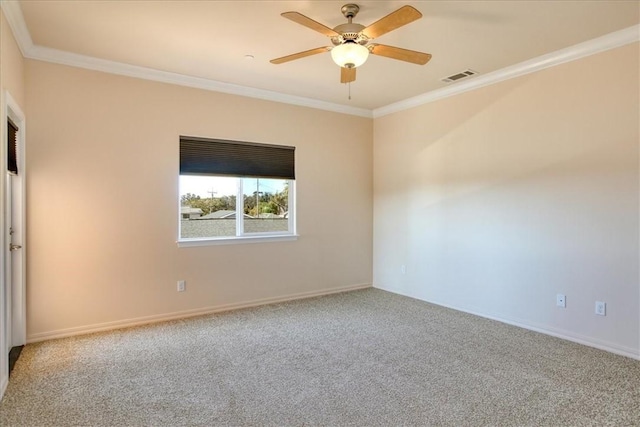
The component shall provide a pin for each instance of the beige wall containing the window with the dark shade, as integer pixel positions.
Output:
(103, 200)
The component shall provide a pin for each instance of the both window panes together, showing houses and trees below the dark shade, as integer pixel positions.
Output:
(210, 205)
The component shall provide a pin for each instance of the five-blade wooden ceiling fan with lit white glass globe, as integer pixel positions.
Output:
(351, 41)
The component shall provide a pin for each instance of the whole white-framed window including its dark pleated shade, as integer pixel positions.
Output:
(231, 190)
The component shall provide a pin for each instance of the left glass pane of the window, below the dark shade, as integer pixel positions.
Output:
(207, 206)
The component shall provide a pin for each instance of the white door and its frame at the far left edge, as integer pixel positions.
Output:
(13, 311)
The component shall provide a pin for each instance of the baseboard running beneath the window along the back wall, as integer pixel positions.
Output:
(118, 324)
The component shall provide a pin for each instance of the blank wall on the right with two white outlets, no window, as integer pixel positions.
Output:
(498, 199)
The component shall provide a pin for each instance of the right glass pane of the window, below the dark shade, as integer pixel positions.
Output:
(265, 205)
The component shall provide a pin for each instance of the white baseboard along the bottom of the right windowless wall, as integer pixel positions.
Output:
(543, 329)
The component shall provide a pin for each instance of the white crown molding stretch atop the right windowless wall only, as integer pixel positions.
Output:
(581, 50)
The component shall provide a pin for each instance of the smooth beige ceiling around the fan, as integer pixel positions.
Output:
(209, 39)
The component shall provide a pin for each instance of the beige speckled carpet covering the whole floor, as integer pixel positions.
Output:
(364, 358)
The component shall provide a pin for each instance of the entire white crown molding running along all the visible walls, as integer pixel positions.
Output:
(14, 16)
